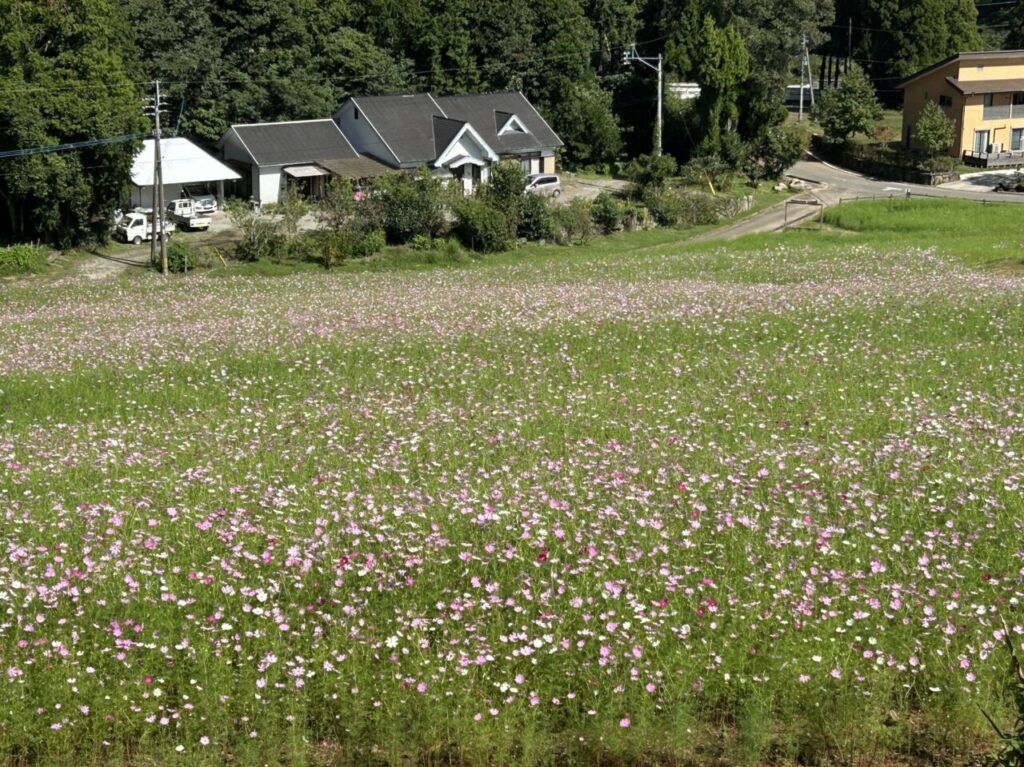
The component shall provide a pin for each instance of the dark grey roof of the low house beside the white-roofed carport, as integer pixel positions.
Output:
(294, 143)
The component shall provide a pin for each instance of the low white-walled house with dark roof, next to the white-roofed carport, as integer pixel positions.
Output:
(305, 153)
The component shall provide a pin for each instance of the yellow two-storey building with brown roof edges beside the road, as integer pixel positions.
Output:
(984, 94)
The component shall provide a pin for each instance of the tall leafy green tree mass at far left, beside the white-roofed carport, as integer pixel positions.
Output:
(66, 75)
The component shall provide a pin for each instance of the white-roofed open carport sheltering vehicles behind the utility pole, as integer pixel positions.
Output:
(186, 167)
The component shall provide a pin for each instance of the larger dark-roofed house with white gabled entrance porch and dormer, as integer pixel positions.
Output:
(457, 138)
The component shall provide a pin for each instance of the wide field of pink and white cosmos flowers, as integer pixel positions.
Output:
(748, 504)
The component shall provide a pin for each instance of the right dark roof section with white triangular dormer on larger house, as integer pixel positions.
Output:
(490, 112)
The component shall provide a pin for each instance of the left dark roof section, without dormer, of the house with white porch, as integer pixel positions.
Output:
(405, 124)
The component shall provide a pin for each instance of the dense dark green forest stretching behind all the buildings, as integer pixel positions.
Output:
(80, 70)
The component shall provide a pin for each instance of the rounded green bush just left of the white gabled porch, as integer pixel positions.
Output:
(405, 205)
